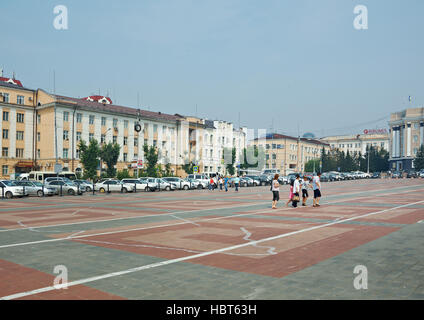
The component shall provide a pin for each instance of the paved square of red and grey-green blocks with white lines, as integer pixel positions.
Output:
(217, 245)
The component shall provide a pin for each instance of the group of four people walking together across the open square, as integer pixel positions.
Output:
(298, 186)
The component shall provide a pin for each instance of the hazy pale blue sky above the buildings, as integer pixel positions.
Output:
(297, 63)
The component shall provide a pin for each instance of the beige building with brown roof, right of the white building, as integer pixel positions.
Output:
(289, 154)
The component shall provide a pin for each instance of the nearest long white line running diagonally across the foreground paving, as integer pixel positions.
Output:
(200, 255)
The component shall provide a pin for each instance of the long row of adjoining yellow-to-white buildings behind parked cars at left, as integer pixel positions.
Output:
(39, 129)
